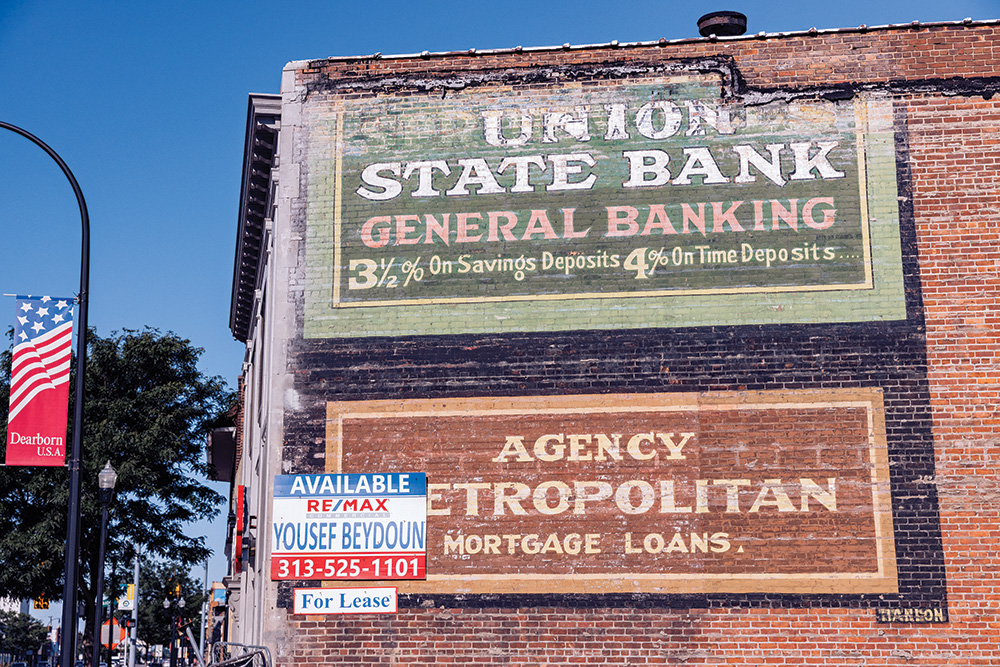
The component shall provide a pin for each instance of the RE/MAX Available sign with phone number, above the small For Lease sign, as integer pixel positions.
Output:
(360, 526)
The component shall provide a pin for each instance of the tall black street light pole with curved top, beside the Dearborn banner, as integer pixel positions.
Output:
(67, 647)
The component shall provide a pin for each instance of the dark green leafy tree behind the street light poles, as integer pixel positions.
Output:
(145, 411)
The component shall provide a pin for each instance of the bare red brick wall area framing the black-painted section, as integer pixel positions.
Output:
(953, 143)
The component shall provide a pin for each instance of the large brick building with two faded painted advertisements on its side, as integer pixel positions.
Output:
(695, 341)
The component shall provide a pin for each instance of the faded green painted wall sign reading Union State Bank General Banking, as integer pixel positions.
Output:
(596, 204)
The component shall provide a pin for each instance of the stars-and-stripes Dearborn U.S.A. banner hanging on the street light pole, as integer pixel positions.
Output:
(39, 381)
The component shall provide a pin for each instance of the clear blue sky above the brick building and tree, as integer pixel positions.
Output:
(146, 102)
